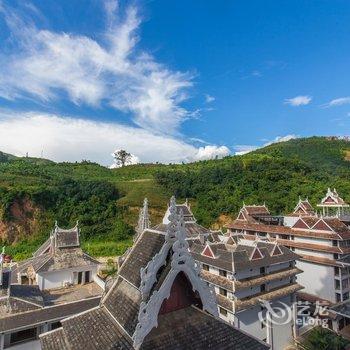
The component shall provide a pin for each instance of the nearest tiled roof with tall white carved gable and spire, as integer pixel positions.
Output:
(158, 301)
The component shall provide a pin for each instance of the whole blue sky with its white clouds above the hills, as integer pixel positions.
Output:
(170, 81)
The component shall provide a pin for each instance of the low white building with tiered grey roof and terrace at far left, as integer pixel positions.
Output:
(59, 281)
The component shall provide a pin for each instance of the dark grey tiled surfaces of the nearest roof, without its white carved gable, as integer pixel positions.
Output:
(112, 325)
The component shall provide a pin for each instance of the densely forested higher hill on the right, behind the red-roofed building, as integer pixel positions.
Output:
(276, 175)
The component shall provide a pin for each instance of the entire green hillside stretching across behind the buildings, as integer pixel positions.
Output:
(36, 192)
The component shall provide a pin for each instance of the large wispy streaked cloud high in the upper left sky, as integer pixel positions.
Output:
(47, 65)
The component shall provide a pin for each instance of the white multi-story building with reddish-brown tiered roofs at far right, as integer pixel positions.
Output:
(322, 242)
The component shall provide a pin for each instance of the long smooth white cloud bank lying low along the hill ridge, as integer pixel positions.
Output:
(72, 139)
